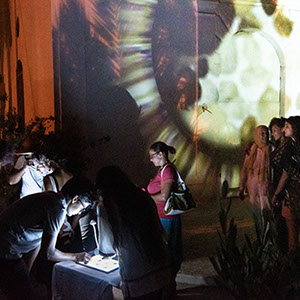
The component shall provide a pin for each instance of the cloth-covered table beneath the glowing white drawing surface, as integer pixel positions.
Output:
(71, 281)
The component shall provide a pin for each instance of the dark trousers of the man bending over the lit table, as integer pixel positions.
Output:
(14, 280)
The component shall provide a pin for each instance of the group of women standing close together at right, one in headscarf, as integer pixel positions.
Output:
(271, 175)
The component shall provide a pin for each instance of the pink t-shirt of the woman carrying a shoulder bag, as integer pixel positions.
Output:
(154, 187)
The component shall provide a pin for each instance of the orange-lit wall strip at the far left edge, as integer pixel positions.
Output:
(33, 48)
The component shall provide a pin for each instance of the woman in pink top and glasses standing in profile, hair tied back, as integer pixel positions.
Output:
(160, 188)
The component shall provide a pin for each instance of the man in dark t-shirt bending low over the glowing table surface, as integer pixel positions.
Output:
(31, 225)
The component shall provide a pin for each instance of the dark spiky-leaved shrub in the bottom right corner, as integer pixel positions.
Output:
(258, 269)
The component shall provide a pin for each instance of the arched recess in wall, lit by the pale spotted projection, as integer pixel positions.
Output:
(257, 77)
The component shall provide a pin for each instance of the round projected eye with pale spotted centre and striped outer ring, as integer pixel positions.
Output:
(209, 81)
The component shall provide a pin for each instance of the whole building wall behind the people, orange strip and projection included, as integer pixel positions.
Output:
(197, 75)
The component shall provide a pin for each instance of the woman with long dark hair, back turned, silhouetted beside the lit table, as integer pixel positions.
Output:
(138, 235)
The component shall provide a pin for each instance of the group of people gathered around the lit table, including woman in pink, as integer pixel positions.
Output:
(147, 241)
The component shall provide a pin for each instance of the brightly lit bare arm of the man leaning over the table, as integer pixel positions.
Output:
(49, 252)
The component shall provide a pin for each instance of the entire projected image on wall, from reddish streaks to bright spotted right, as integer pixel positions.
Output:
(200, 76)
